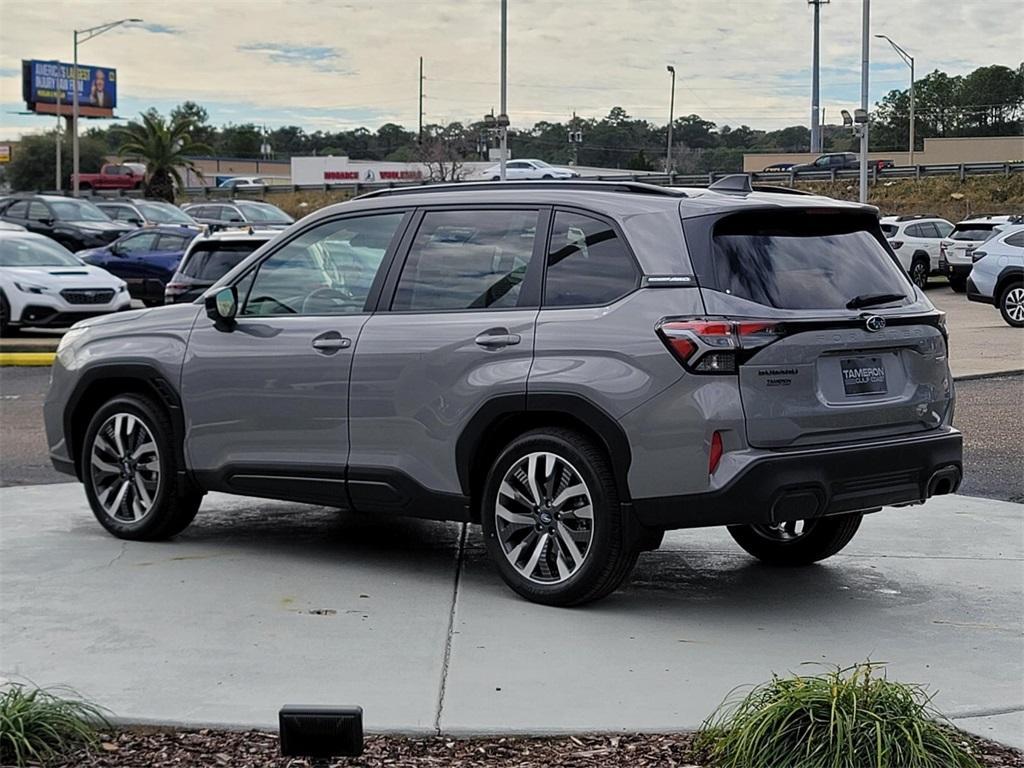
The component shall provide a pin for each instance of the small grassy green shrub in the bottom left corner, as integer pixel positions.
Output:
(38, 724)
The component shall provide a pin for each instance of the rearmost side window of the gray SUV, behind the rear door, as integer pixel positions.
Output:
(588, 264)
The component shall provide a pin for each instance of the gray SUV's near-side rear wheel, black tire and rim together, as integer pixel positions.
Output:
(563, 557)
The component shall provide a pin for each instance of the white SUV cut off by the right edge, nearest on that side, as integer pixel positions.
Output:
(998, 274)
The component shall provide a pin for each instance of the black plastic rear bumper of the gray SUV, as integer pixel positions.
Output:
(804, 485)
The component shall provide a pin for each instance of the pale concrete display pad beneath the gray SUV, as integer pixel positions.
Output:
(261, 605)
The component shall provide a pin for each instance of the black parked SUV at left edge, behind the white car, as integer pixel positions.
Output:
(73, 224)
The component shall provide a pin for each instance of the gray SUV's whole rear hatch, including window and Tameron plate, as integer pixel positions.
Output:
(842, 348)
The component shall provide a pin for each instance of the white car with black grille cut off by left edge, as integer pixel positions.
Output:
(44, 285)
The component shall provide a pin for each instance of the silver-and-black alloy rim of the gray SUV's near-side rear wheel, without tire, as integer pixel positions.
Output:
(544, 519)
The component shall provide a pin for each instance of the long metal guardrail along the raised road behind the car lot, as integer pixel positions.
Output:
(780, 179)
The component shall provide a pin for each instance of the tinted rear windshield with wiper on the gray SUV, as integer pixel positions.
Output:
(800, 261)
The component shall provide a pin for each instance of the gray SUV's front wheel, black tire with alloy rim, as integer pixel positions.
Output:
(126, 425)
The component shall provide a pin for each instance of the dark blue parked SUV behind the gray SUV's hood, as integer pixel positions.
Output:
(145, 260)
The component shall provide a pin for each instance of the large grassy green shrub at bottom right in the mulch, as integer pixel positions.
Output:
(846, 718)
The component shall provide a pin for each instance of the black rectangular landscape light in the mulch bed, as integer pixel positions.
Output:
(321, 733)
